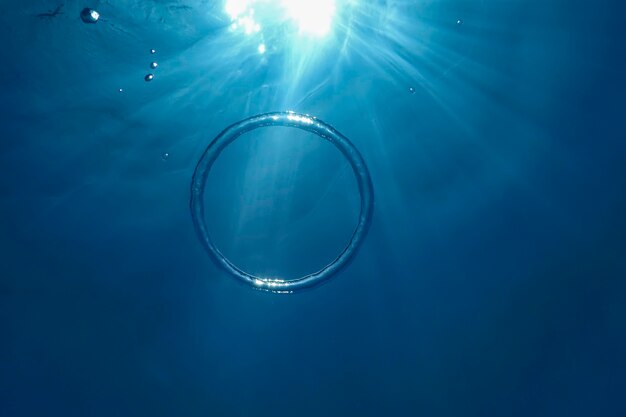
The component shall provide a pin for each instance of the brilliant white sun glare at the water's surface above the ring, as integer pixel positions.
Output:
(313, 17)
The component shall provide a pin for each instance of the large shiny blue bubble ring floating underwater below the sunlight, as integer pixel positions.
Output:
(309, 124)
